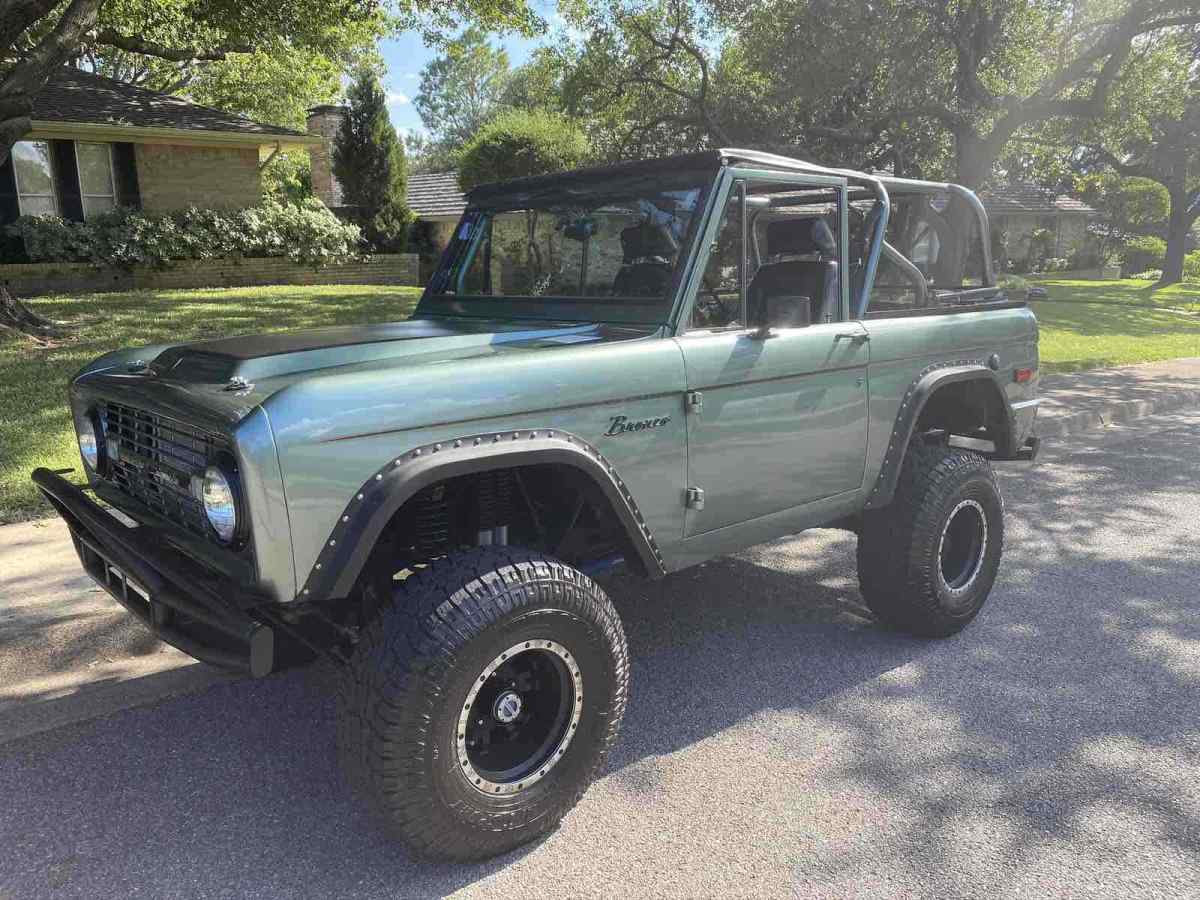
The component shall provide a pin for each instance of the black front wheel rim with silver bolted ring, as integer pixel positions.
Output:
(520, 717)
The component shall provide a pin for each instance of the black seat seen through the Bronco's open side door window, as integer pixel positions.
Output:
(814, 277)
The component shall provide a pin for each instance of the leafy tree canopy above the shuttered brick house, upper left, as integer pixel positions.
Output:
(177, 38)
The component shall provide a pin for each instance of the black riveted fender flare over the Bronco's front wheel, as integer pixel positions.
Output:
(361, 525)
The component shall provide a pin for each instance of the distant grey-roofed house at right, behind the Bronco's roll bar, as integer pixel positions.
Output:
(1018, 211)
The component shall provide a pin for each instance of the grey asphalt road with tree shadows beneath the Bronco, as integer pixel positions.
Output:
(777, 740)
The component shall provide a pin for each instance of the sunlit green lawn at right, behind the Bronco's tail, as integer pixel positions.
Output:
(1087, 325)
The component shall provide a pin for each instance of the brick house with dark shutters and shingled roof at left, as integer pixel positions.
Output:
(98, 143)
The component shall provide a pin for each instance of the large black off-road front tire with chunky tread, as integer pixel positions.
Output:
(405, 689)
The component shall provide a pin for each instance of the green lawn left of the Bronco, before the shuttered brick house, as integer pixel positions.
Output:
(35, 429)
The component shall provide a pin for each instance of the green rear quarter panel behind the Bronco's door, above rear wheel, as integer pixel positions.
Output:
(902, 349)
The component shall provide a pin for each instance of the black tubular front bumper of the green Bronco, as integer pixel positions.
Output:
(182, 602)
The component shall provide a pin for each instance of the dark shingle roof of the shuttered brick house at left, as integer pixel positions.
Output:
(76, 97)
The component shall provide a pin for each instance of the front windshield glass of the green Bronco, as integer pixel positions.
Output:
(623, 243)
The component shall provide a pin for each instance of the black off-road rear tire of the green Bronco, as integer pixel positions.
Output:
(901, 548)
